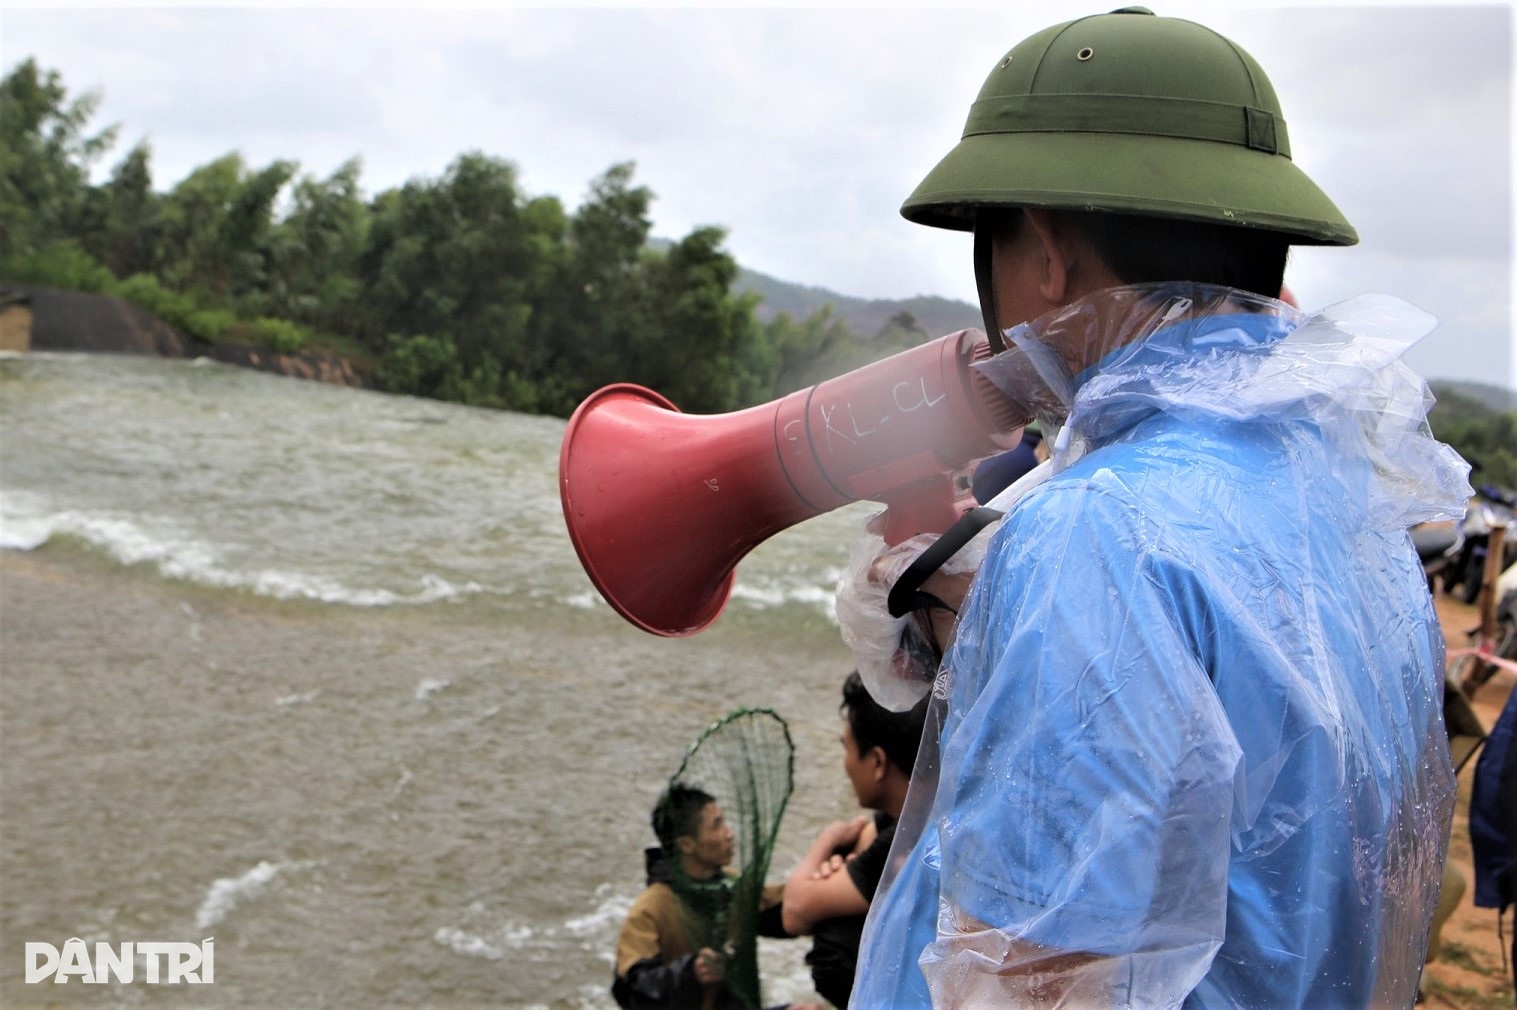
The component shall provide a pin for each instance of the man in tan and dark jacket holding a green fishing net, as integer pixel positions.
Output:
(689, 941)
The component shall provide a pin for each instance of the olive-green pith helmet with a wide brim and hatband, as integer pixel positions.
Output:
(1134, 114)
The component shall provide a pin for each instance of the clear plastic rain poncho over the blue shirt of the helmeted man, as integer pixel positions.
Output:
(1192, 742)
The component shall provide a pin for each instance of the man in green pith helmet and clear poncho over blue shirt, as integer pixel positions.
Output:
(1192, 747)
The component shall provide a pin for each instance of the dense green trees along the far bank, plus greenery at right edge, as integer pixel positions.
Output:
(462, 287)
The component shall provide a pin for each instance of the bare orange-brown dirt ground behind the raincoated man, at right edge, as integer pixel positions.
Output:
(1471, 971)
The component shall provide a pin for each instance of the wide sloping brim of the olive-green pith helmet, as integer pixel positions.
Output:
(1158, 177)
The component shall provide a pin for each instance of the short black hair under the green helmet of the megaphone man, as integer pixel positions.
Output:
(1152, 249)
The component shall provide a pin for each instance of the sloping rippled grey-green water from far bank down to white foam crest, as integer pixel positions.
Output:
(292, 491)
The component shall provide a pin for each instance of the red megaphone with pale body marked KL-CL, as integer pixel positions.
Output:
(664, 506)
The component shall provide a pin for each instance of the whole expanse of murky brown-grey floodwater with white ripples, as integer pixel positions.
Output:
(316, 673)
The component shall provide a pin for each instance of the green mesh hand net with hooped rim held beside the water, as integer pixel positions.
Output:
(746, 762)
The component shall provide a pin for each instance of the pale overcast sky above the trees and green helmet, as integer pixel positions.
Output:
(802, 131)
